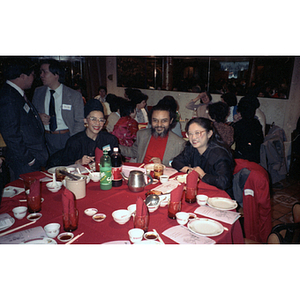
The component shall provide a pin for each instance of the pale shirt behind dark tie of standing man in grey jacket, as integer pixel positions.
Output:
(61, 125)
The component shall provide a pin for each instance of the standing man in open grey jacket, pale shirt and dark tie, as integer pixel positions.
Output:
(68, 117)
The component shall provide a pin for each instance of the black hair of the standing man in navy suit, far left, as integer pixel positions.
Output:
(16, 66)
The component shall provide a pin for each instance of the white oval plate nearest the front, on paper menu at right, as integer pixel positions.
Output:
(206, 227)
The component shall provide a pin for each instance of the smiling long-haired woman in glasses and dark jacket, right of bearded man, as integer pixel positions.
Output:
(207, 154)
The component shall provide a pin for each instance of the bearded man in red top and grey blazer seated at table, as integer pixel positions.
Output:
(157, 144)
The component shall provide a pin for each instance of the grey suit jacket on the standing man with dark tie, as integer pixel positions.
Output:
(73, 117)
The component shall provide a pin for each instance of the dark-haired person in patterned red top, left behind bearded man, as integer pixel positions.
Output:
(126, 128)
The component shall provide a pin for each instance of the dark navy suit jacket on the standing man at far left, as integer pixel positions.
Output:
(22, 131)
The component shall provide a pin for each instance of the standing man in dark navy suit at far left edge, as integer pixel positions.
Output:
(20, 124)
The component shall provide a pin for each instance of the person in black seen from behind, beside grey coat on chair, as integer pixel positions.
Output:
(248, 134)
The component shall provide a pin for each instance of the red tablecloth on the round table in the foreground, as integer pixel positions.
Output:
(106, 202)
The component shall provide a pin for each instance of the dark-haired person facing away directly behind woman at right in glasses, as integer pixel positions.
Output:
(218, 112)
